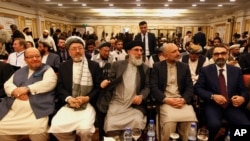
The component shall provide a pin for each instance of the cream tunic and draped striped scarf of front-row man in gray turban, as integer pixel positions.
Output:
(68, 119)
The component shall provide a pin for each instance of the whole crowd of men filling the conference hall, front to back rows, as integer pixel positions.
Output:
(68, 86)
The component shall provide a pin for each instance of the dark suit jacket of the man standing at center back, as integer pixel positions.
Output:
(151, 42)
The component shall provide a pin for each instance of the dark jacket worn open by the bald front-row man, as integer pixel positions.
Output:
(158, 81)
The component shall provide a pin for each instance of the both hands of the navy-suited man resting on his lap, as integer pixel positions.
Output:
(236, 100)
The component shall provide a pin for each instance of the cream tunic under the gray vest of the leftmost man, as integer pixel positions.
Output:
(21, 119)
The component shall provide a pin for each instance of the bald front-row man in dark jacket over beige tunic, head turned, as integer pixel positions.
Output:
(172, 86)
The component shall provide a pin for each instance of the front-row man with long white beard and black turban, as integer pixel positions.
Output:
(127, 87)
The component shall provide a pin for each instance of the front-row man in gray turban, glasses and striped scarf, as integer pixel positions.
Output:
(78, 85)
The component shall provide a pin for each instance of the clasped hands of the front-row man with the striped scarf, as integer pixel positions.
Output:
(76, 102)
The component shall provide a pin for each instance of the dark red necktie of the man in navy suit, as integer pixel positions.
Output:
(223, 88)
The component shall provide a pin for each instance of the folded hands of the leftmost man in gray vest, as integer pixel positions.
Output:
(21, 93)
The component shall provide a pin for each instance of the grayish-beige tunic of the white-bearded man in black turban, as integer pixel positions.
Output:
(120, 113)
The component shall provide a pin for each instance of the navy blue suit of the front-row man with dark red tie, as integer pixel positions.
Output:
(208, 84)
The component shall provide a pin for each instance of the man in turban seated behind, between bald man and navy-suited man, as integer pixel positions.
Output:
(195, 61)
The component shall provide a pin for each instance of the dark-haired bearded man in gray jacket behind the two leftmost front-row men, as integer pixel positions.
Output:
(48, 58)
